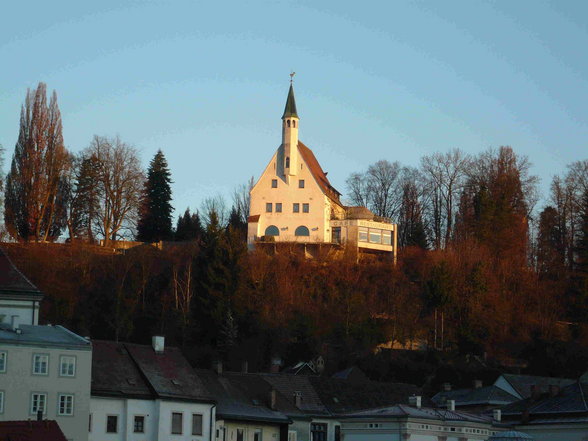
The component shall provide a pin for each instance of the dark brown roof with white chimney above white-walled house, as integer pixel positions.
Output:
(137, 371)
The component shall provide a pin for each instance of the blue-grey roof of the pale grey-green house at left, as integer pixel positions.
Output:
(45, 336)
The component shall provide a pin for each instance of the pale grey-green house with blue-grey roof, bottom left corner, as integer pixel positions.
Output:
(45, 374)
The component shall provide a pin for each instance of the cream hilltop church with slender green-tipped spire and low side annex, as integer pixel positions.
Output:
(293, 201)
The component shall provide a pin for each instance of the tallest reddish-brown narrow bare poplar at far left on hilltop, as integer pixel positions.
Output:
(33, 201)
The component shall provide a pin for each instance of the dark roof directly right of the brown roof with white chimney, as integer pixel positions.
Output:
(241, 397)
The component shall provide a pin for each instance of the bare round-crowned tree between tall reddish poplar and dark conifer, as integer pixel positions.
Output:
(119, 182)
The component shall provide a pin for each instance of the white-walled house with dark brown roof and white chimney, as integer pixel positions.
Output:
(142, 392)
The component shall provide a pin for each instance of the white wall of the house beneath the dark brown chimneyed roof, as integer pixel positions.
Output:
(156, 416)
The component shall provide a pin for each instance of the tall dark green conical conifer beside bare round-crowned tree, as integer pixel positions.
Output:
(155, 223)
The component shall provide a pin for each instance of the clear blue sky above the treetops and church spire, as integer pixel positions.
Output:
(206, 82)
